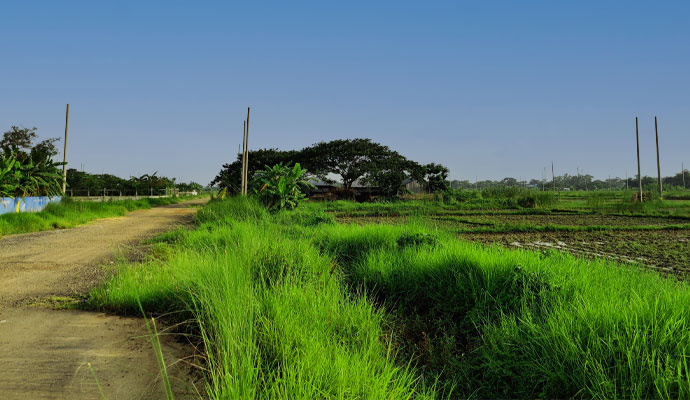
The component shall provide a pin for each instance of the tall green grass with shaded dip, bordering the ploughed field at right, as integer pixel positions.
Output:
(487, 322)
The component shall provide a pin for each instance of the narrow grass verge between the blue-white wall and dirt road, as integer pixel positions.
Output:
(68, 213)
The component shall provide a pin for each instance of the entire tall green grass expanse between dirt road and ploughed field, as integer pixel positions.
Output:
(294, 306)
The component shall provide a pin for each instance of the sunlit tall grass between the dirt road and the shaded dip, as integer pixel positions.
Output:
(273, 315)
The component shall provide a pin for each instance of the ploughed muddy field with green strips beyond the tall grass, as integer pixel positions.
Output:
(654, 235)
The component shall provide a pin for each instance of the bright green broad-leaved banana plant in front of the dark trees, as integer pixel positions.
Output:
(280, 187)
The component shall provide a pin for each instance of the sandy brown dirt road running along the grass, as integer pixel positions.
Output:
(69, 354)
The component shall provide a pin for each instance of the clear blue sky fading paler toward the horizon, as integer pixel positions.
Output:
(488, 88)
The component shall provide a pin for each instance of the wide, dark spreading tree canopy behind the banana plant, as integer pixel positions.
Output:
(352, 160)
